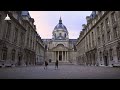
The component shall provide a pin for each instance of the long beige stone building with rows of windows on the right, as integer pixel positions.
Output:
(99, 41)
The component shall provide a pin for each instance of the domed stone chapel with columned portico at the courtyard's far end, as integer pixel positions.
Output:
(60, 47)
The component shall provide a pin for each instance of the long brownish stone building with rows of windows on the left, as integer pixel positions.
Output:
(18, 38)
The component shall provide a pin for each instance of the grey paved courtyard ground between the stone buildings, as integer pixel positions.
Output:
(64, 72)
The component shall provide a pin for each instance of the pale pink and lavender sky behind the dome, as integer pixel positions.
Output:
(45, 22)
